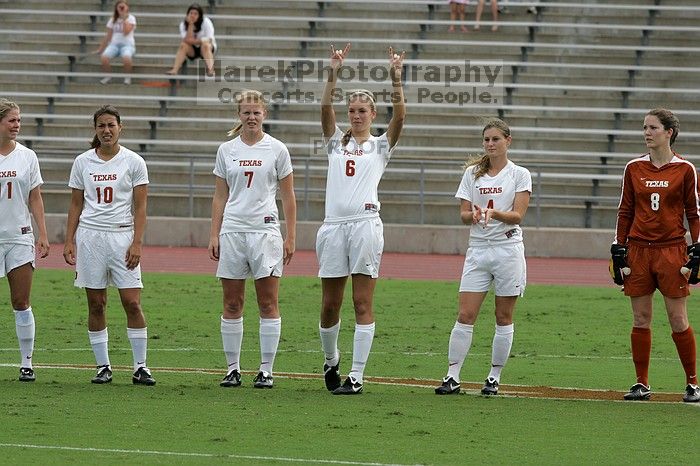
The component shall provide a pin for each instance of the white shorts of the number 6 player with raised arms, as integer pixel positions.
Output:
(350, 248)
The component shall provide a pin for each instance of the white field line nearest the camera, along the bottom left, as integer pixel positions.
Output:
(186, 454)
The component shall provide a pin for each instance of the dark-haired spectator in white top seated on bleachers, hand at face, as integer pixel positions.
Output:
(197, 32)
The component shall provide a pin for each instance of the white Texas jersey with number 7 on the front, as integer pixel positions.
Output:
(252, 174)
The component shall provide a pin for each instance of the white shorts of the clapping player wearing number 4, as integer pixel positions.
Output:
(500, 264)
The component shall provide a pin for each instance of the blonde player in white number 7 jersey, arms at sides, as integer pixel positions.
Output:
(245, 233)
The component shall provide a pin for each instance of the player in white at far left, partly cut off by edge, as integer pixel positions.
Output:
(20, 194)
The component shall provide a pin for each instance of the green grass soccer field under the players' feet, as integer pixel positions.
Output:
(566, 337)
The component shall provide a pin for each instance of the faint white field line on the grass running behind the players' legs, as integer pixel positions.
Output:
(403, 353)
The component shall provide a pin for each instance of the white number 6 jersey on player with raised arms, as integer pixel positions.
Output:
(354, 172)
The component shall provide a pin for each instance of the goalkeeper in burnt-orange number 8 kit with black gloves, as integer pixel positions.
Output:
(659, 192)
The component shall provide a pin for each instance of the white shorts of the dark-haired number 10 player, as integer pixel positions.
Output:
(101, 260)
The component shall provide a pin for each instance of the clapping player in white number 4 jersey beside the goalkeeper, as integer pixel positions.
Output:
(495, 194)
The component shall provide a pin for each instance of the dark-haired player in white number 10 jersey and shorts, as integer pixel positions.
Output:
(104, 234)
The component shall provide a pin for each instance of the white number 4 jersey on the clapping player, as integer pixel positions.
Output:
(497, 192)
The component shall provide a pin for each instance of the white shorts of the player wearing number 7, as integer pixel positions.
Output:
(245, 254)
